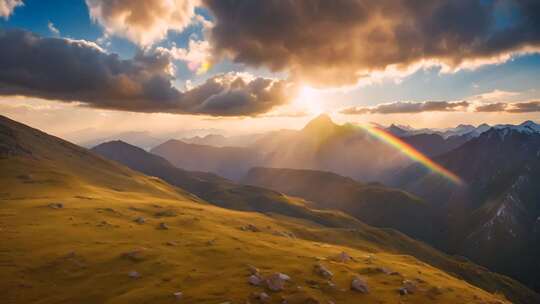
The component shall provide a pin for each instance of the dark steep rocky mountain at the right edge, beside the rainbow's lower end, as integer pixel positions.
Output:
(495, 218)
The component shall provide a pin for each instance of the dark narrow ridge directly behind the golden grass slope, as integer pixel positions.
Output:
(217, 190)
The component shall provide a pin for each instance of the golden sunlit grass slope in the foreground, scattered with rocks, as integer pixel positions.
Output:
(89, 249)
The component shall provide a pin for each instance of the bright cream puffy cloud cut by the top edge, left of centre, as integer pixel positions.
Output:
(143, 22)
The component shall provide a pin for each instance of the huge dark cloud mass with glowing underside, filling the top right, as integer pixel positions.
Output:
(340, 42)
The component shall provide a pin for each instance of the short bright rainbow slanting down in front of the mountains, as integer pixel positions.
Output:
(412, 153)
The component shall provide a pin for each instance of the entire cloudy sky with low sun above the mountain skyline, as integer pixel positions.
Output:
(240, 67)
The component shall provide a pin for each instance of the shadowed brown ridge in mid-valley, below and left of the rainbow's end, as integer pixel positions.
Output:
(372, 203)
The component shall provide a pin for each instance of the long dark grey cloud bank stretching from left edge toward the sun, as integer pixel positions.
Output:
(75, 70)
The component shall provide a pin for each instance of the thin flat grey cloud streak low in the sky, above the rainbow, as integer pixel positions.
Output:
(409, 107)
